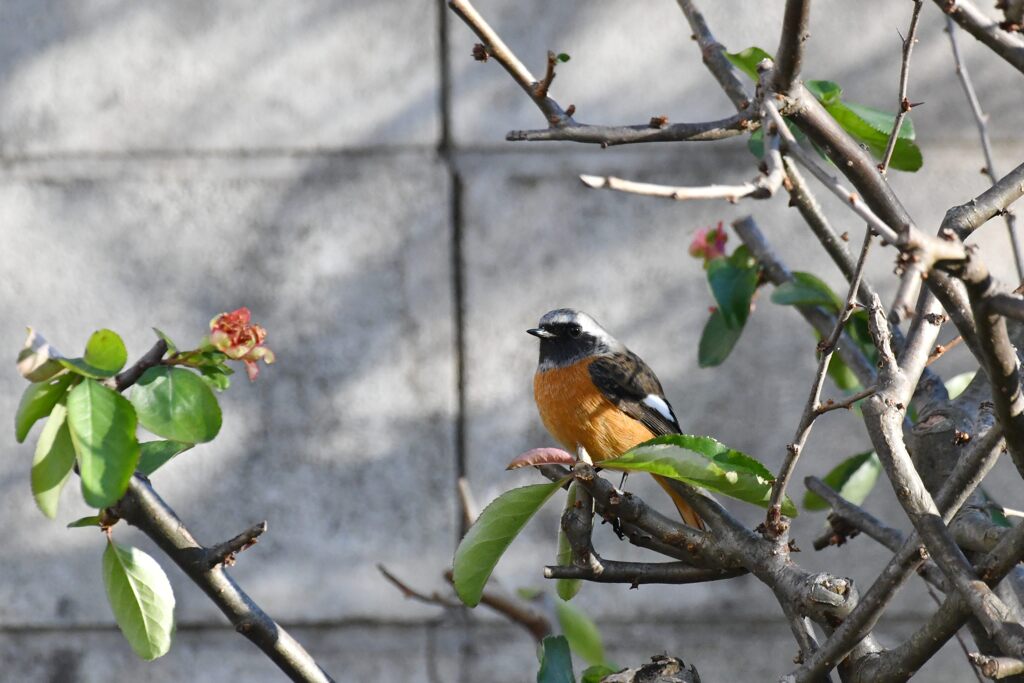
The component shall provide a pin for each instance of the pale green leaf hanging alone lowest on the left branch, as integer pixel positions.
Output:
(142, 600)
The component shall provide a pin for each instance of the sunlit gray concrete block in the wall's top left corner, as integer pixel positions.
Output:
(105, 77)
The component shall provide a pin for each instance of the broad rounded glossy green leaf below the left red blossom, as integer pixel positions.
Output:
(176, 404)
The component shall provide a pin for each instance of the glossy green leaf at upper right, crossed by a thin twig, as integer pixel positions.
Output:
(870, 126)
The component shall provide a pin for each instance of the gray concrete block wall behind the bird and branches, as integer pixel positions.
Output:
(163, 162)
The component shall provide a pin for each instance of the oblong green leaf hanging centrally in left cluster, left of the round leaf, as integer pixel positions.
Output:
(103, 430)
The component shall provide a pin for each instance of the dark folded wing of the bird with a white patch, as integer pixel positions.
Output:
(627, 381)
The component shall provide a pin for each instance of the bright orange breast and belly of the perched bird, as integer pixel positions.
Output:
(578, 414)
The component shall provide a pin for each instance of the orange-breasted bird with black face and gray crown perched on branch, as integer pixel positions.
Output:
(596, 397)
